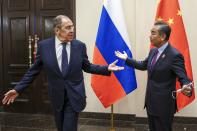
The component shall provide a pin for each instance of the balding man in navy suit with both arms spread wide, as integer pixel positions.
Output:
(63, 59)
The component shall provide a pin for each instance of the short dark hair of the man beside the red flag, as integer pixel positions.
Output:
(164, 28)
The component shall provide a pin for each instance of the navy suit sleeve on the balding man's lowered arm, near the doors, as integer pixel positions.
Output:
(31, 74)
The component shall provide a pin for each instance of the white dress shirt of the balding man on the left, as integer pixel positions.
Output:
(58, 50)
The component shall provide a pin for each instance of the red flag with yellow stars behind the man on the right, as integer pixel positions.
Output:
(169, 11)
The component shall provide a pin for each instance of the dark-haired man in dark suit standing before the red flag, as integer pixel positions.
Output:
(164, 65)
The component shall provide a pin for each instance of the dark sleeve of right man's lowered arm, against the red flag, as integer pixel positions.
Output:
(178, 68)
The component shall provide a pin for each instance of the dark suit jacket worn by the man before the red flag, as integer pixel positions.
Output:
(162, 80)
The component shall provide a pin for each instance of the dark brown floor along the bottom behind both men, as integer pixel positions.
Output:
(36, 122)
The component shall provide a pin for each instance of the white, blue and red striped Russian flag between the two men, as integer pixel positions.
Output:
(112, 35)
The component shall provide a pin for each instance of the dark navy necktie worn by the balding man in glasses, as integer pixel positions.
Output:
(64, 59)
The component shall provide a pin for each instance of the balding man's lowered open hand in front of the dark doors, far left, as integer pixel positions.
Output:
(10, 97)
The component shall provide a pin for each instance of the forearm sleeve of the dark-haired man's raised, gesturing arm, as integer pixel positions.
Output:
(140, 65)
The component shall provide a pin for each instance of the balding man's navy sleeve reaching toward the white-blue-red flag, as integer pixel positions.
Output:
(93, 68)
